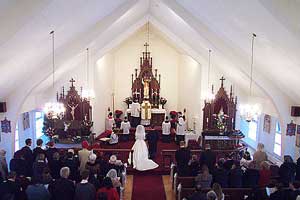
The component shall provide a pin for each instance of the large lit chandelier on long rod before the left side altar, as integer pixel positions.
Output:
(54, 109)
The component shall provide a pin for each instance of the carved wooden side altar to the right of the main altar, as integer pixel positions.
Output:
(219, 117)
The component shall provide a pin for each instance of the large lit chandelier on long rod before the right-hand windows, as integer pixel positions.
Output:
(250, 111)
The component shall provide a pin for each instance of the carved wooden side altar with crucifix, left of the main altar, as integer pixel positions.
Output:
(77, 120)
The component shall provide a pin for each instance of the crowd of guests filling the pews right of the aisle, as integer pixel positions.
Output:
(243, 171)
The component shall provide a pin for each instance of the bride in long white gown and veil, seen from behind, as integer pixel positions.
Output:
(141, 161)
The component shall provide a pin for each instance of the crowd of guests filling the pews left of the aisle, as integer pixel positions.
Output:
(60, 174)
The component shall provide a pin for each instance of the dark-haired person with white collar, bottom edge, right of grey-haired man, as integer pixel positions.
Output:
(85, 190)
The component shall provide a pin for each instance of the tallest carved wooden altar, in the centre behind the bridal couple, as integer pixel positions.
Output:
(145, 90)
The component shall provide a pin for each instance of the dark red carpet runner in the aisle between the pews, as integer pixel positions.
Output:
(148, 187)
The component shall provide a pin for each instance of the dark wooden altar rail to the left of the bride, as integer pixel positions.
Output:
(122, 154)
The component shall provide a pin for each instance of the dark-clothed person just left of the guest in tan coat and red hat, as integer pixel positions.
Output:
(73, 164)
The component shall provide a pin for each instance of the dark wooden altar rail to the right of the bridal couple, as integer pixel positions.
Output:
(169, 155)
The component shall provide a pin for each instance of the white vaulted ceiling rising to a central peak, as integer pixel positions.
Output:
(193, 25)
